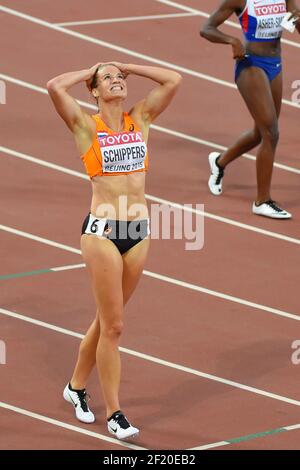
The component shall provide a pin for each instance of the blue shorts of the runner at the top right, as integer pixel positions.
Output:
(270, 65)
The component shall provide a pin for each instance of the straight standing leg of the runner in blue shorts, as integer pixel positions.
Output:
(256, 90)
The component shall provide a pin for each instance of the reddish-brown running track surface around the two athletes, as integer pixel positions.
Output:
(182, 324)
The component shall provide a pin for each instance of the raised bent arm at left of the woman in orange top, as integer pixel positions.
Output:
(66, 106)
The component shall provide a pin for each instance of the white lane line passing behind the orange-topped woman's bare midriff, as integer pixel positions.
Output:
(159, 200)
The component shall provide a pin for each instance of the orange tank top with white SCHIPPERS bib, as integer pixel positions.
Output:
(116, 153)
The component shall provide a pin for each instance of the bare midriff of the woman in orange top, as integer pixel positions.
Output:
(119, 197)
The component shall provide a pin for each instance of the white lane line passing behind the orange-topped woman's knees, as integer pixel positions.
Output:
(160, 362)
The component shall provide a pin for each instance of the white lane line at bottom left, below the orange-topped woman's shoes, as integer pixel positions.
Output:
(67, 426)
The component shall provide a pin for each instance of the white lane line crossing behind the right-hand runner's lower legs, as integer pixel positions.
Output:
(161, 129)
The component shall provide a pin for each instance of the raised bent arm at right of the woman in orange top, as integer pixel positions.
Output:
(159, 98)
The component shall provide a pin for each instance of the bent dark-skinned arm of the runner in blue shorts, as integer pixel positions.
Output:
(211, 32)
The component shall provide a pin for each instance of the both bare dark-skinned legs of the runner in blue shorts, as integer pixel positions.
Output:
(263, 100)
